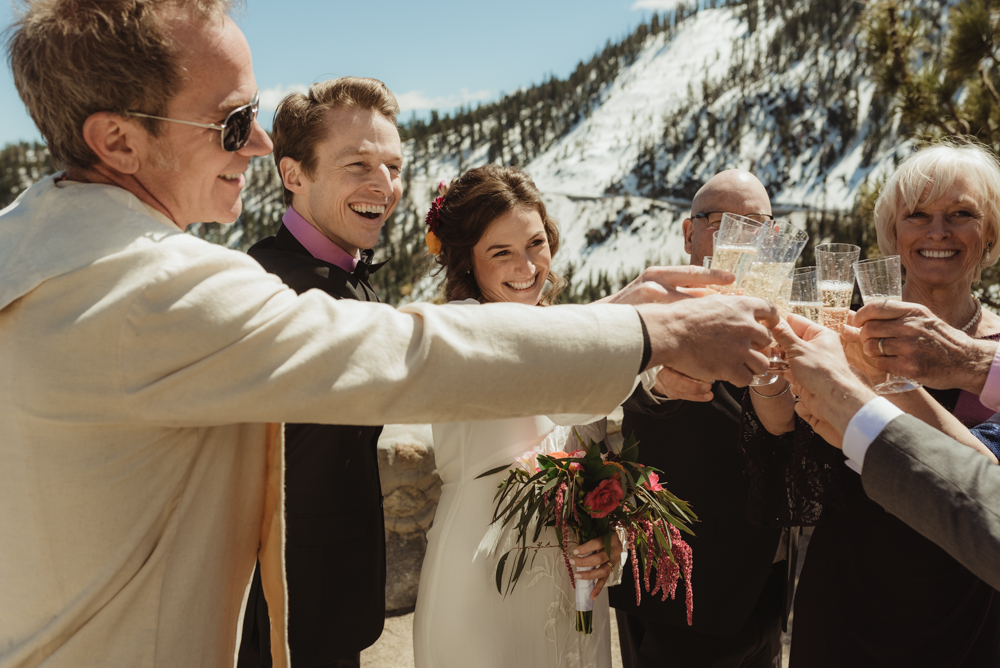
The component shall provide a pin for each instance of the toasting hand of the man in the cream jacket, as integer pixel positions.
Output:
(718, 337)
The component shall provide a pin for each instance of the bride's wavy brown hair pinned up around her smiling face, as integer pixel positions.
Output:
(473, 202)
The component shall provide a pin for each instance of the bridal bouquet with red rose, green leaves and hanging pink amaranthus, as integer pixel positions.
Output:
(591, 493)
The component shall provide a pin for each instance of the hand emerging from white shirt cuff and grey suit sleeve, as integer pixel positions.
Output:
(829, 393)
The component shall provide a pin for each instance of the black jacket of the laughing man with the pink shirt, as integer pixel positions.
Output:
(335, 543)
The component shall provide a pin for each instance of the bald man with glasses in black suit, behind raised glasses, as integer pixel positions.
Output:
(689, 428)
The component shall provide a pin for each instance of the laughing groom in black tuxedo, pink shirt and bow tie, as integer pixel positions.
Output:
(340, 158)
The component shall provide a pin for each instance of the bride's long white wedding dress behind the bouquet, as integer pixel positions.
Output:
(461, 620)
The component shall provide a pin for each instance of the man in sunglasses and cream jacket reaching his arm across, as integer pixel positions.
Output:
(147, 371)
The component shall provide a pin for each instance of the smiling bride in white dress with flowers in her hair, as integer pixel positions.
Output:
(496, 244)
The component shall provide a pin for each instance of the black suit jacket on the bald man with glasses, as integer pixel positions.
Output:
(695, 444)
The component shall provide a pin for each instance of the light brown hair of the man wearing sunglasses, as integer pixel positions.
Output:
(73, 58)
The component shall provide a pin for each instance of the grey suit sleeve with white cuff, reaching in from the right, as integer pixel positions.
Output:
(946, 491)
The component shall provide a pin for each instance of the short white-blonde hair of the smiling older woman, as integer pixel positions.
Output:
(927, 175)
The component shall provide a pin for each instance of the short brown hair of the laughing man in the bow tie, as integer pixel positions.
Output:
(300, 120)
